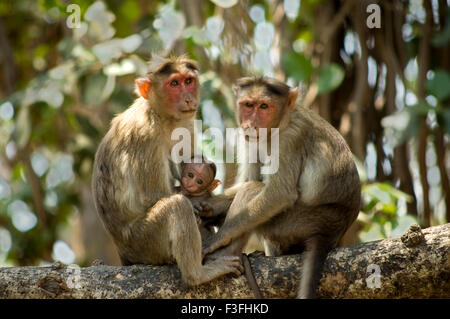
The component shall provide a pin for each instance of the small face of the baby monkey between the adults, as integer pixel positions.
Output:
(196, 178)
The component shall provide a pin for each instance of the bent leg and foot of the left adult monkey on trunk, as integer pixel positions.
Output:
(169, 231)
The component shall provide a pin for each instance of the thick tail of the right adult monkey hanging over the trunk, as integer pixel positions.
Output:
(317, 249)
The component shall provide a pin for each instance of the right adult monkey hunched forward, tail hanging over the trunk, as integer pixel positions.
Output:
(313, 197)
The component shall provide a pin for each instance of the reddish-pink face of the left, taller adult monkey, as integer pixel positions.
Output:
(181, 94)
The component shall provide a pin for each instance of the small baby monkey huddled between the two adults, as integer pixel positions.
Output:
(198, 183)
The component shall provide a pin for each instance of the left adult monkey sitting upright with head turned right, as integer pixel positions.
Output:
(133, 176)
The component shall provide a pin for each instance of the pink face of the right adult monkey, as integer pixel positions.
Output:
(257, 113)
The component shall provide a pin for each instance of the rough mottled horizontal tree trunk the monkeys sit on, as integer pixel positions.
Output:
(415, 266)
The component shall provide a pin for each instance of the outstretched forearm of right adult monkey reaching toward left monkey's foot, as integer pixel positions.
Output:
(279, 193)
